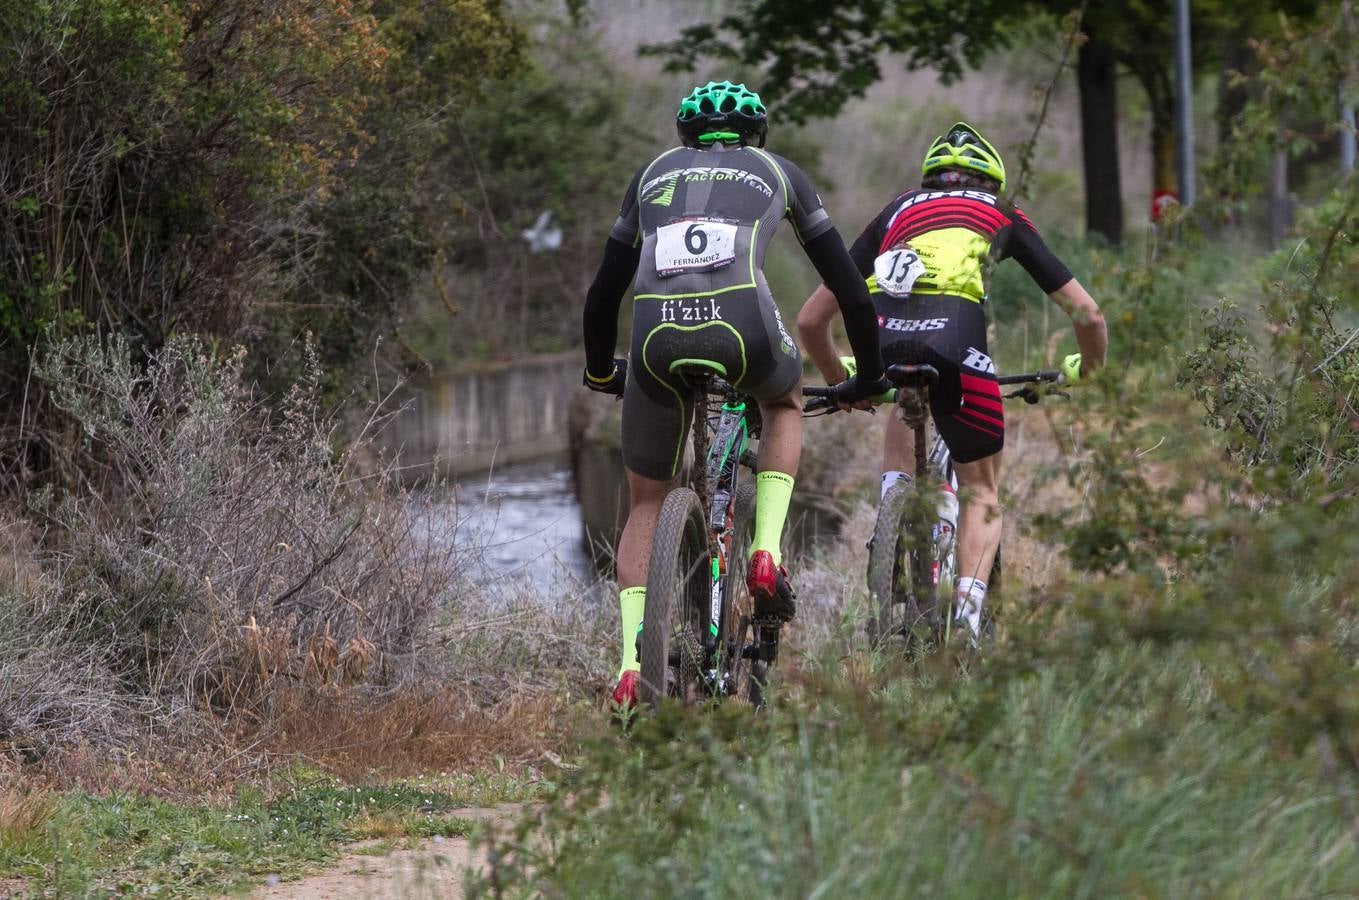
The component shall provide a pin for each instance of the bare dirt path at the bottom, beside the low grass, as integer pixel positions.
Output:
(434, 869)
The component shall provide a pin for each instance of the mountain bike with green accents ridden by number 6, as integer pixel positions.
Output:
(699, 633)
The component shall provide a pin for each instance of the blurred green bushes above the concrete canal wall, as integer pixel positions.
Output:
(528, 149)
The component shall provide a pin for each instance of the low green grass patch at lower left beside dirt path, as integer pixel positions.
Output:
(84, 845)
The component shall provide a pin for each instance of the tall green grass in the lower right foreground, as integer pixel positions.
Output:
(1119, 774)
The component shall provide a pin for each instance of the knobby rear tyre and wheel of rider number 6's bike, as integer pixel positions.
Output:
(677, 589)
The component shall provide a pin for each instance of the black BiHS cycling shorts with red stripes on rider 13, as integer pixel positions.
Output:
(949, 334)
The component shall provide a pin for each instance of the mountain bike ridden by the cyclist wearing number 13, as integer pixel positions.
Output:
(913, 553)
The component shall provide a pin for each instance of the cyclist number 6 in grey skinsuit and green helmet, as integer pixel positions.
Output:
(695, 226)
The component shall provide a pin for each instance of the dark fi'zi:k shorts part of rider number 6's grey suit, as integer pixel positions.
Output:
(741, 331)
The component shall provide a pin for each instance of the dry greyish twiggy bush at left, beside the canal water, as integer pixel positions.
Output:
(229, 549)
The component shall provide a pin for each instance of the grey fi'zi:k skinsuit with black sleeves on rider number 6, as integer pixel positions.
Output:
(699, 224)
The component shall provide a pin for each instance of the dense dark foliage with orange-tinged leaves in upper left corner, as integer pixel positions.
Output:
(234, 169)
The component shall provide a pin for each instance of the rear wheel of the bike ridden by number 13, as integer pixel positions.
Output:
(895, 573)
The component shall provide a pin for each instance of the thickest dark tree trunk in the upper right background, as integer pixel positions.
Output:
(1099, 86)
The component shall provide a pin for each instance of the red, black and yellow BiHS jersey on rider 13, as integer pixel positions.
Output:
(956, 233)
